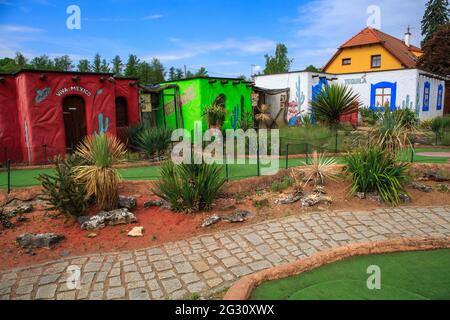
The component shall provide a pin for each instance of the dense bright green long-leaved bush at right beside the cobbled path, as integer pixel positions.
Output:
(374, 170)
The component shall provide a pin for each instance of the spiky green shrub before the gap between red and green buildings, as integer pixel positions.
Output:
(154, 141)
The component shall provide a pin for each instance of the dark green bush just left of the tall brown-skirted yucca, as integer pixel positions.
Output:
(63, 192)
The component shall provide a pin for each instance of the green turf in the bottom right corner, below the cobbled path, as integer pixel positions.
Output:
(404, 276)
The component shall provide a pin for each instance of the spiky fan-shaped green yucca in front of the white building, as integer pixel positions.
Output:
(333, 102)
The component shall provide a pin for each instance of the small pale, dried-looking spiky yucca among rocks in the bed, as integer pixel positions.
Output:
(322, 168)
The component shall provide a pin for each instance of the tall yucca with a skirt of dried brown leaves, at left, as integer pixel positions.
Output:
(101, 180)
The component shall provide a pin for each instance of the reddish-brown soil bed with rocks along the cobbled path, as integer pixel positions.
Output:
(163, 226)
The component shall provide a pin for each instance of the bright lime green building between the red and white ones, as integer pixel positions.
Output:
(178, 104)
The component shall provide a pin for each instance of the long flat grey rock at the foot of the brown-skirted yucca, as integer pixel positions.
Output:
(107, 218)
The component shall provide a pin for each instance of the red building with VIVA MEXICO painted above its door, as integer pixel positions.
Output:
(47, 113)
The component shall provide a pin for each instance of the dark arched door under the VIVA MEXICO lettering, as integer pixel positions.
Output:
(74, 121)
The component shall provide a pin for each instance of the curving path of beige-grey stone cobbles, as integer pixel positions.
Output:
(211, 263)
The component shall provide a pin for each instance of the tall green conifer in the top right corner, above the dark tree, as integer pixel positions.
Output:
(436, 14)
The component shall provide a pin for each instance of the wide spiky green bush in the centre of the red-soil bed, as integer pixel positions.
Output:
(189, 187)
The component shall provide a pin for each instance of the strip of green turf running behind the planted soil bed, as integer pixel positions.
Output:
(26, 178)
